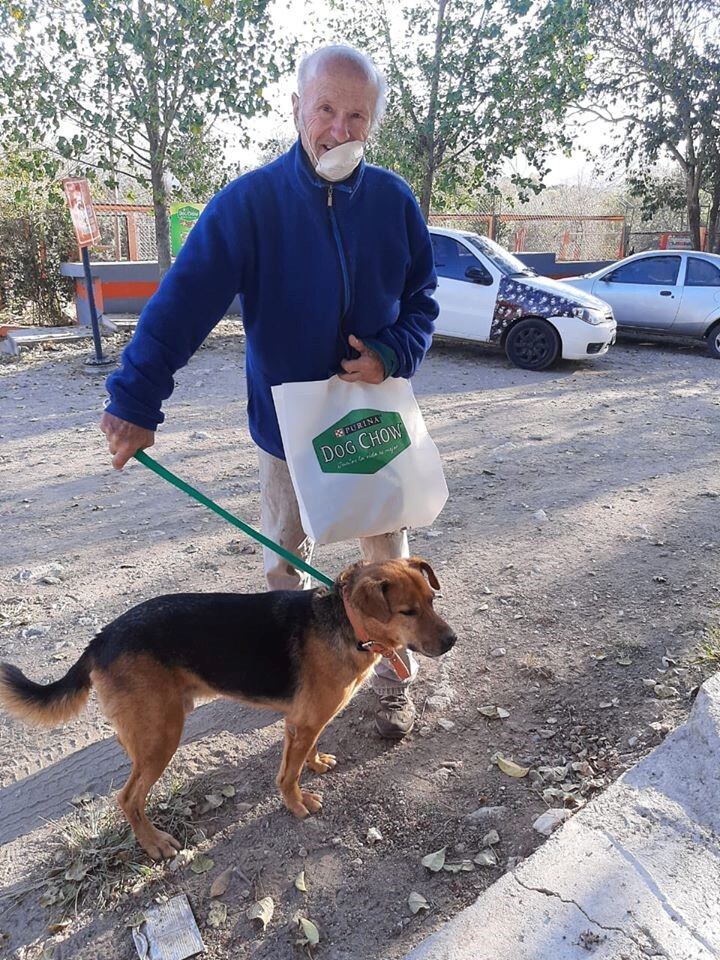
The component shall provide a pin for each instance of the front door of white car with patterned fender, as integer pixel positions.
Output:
(467, 290)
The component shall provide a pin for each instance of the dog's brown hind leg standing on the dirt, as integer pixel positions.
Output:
(150, 748)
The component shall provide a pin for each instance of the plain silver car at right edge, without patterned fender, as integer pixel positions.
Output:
(666, 292)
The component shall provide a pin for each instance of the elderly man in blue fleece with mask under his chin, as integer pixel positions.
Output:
(333, 264)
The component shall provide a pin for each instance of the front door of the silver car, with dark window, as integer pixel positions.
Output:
(644, 292)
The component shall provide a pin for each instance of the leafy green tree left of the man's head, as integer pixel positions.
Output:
(132, 80)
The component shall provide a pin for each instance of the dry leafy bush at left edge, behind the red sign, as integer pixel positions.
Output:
(35, 238)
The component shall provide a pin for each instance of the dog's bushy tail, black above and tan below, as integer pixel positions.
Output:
(45, 705)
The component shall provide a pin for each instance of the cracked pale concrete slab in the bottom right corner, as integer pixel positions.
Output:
(635, 874)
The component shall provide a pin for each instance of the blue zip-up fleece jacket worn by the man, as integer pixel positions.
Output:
(312, 263)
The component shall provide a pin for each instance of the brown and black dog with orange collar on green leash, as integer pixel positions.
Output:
(301, 653)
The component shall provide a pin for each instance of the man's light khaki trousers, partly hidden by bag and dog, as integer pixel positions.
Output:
(280, 520)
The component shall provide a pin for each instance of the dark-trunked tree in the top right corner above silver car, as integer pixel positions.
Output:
(655, 75)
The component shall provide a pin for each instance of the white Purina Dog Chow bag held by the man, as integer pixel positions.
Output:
(360, 457)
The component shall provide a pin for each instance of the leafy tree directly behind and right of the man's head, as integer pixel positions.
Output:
(471, 85)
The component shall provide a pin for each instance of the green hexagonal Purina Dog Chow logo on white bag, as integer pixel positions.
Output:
(364, 441)
